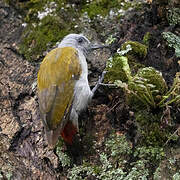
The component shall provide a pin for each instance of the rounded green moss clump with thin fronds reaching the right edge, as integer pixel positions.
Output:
(148, 90)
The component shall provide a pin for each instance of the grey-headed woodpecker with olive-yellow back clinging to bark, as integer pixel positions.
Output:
(63, 88)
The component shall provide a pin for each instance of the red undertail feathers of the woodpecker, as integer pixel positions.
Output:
(68, 132)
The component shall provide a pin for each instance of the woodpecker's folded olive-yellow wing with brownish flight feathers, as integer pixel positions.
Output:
(56, 79)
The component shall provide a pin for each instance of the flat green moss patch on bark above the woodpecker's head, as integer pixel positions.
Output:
(41, 34)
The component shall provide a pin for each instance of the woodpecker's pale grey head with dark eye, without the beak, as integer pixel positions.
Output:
(77, 41)
